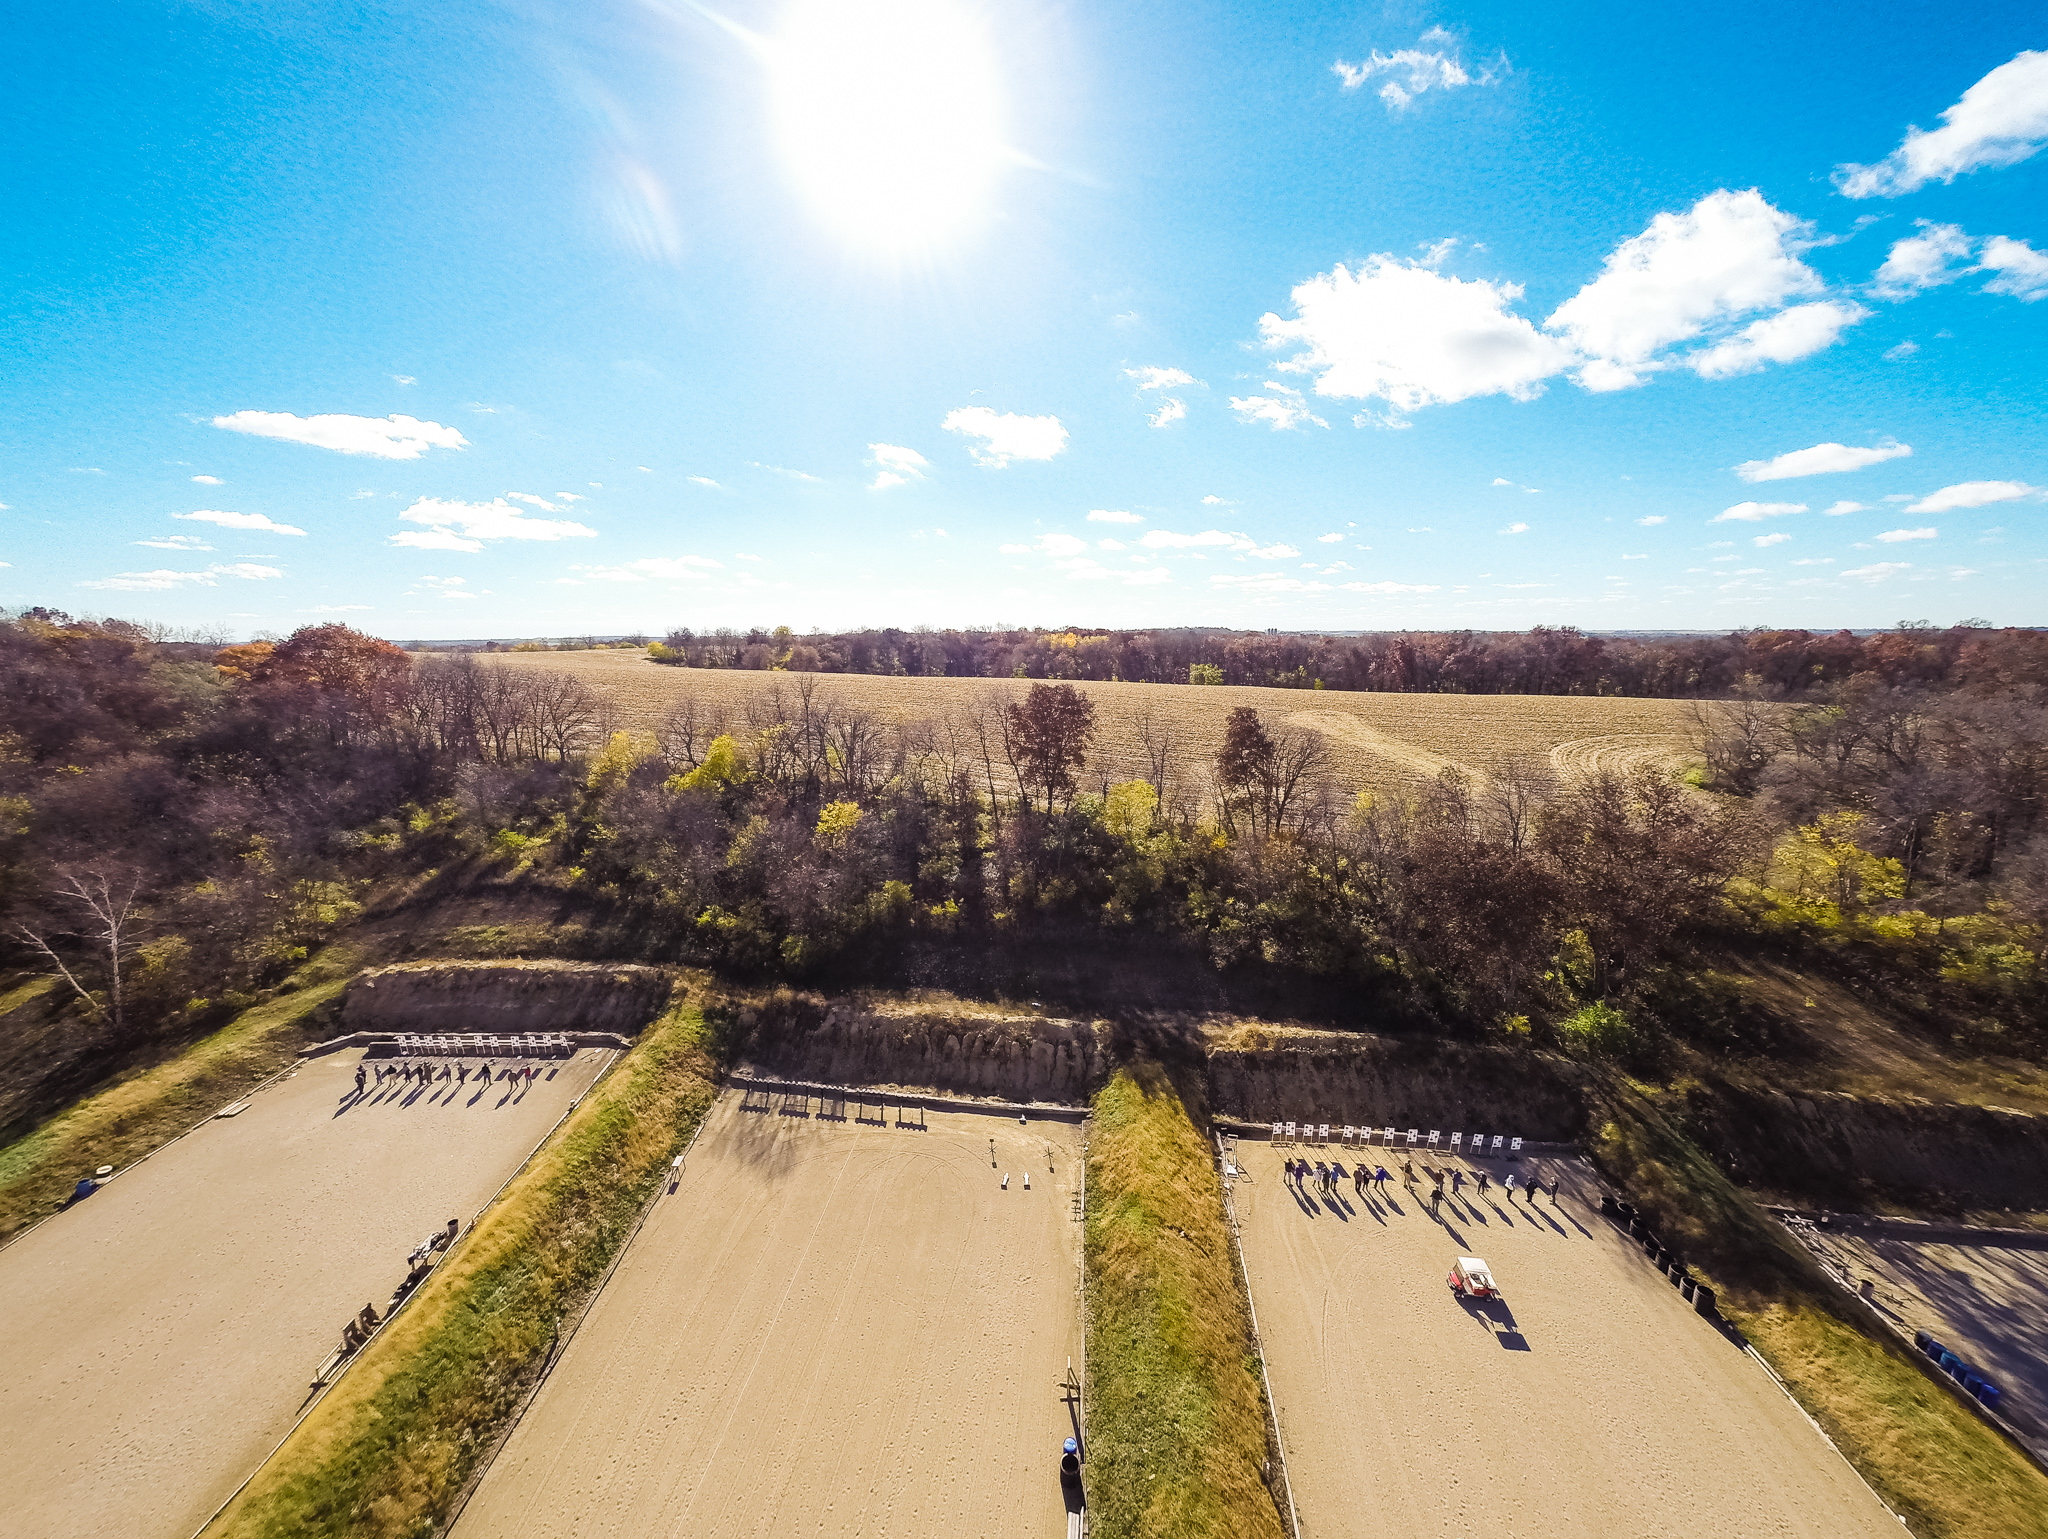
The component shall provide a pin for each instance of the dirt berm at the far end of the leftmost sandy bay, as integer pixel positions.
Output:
(505, 997)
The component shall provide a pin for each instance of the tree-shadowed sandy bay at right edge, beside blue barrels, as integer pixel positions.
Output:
(1986, 1304)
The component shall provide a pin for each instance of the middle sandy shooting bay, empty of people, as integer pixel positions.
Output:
(830, 1329)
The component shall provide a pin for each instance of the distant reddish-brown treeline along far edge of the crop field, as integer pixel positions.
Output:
(1545, 661)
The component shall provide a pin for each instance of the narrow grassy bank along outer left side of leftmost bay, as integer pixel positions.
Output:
(151, 1108)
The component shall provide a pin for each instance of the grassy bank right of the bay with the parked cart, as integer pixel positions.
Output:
(1928, 1456)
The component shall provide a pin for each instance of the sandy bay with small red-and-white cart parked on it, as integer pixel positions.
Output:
(1592, 1401)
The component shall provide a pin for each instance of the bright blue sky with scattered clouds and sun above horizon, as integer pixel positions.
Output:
(556, 319)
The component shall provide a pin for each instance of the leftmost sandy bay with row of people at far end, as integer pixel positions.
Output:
(161, 1337)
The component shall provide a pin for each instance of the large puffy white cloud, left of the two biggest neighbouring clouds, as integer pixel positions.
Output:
(1402, 333)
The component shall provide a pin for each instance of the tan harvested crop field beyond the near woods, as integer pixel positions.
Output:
(1377, 739)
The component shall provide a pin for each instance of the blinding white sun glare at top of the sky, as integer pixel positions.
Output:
(890, 116)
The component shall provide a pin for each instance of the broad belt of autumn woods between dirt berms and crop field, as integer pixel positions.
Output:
(181, 823)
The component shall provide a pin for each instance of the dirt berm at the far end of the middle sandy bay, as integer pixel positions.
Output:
(949, 1048)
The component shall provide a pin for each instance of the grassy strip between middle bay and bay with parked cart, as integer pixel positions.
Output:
(1177, 1419)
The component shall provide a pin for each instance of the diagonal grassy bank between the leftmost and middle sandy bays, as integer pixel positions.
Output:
(390, 1448)
